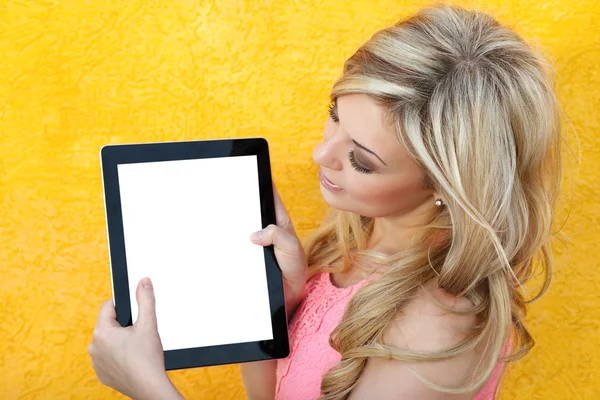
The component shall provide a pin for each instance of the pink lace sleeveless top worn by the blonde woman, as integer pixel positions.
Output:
(299, 375)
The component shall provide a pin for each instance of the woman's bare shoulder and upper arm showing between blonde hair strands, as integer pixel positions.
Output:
(421, 327)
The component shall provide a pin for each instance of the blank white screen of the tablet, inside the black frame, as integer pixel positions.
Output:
(187, 226)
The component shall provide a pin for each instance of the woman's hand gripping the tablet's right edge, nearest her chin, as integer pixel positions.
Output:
(288, 251)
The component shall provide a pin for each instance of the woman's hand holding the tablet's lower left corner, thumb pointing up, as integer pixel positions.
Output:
(130, 360)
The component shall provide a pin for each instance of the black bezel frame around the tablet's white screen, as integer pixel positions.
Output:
(115, 154)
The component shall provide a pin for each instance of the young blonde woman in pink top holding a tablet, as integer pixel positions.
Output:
(442, 165)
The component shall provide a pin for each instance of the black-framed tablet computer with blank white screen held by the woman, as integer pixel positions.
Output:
(181, 213)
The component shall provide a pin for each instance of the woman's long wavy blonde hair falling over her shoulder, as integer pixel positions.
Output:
(474, 106)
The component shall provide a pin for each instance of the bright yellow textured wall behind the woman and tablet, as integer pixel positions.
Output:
(75, 75)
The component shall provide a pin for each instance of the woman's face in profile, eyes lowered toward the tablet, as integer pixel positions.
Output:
(364, 168)
